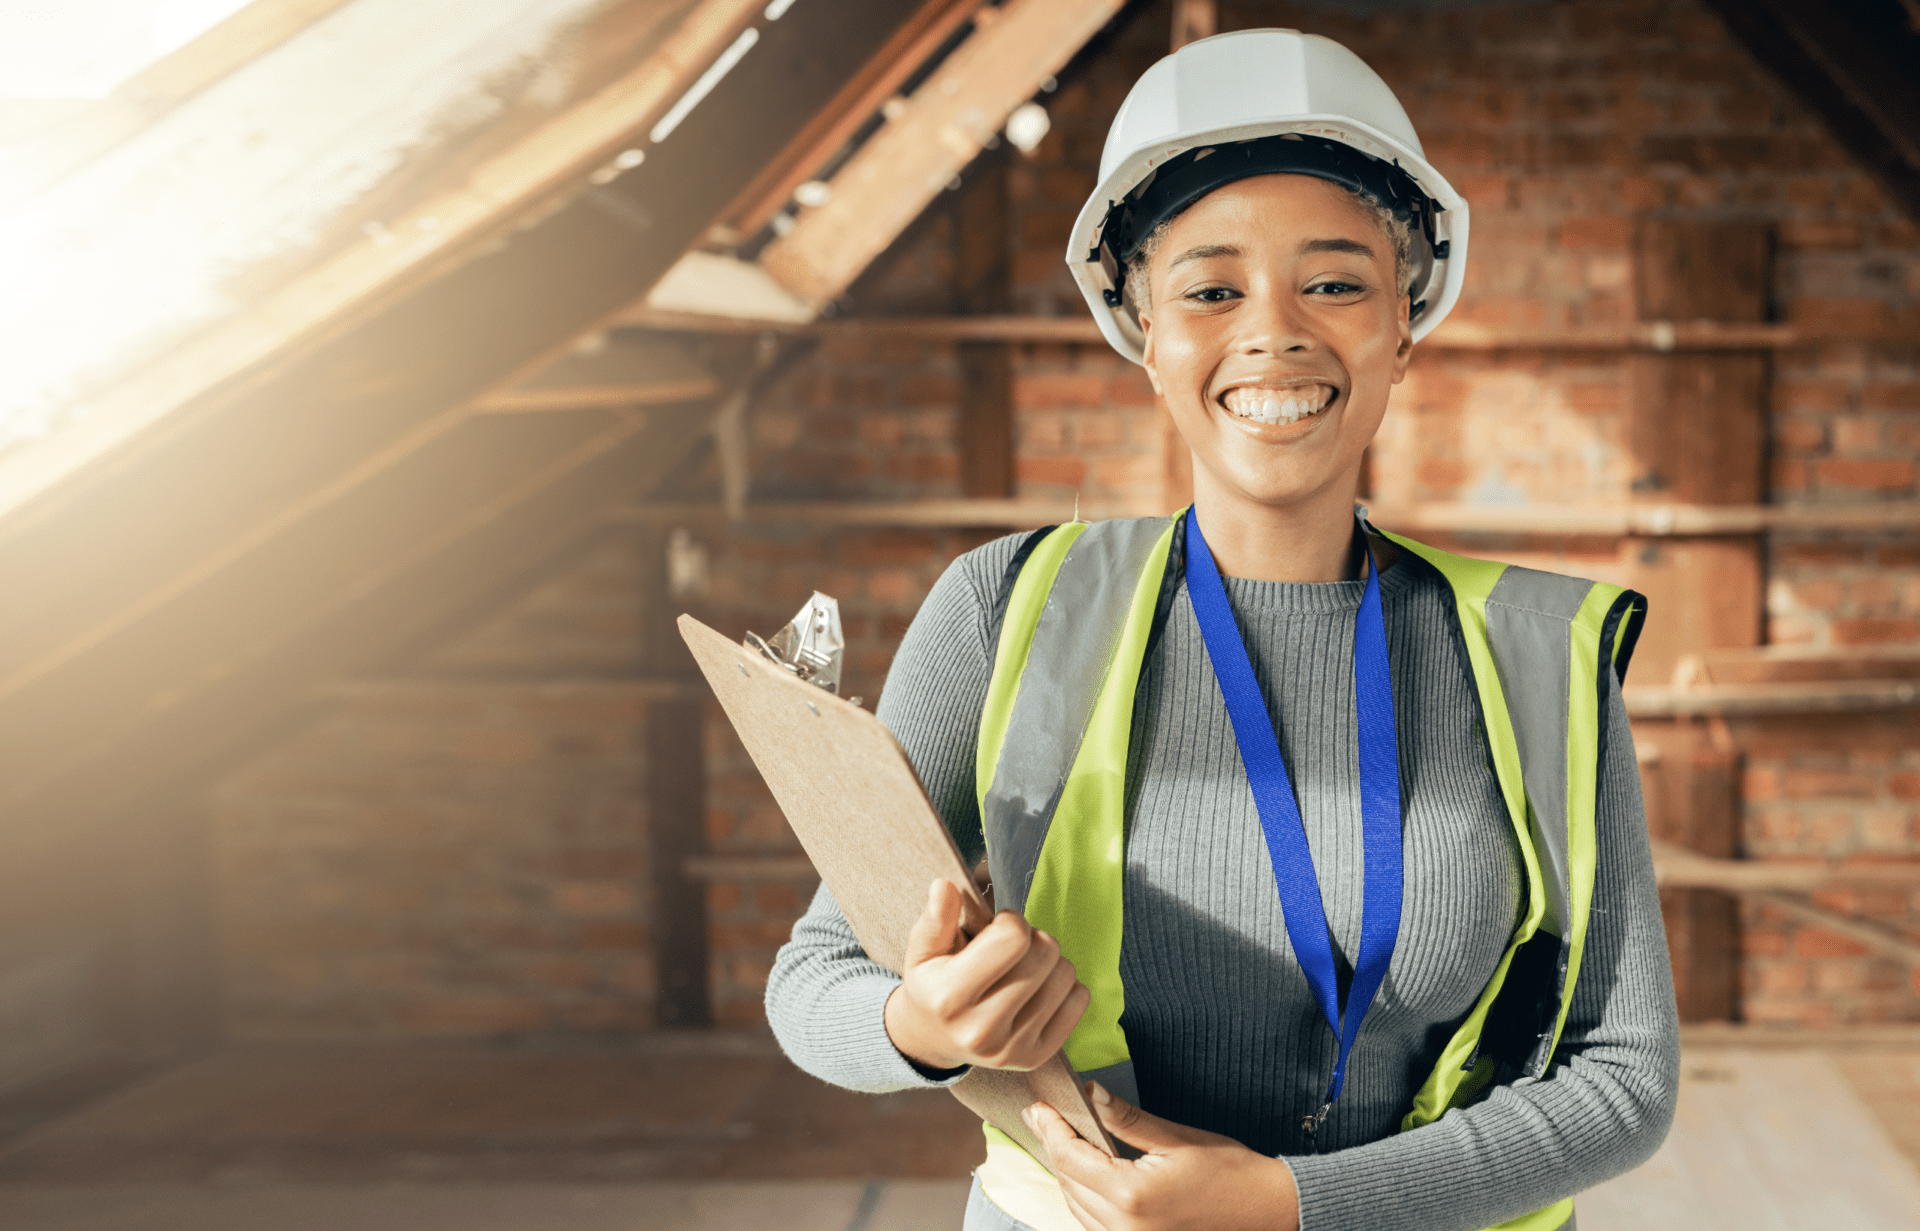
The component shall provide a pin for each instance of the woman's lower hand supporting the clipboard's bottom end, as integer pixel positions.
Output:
(1186, 1180)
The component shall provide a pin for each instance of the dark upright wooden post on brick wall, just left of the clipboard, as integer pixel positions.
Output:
(677, 811)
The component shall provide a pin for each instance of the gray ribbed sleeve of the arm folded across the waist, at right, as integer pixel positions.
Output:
(1604, 1109)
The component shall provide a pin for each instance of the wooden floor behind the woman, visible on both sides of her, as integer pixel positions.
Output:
(721, 1134)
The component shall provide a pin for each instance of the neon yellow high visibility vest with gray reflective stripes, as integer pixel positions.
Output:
(1074, 631)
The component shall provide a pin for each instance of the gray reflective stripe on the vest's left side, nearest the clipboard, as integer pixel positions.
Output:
(1067, 667)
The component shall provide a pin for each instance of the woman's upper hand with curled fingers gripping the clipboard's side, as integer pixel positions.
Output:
(1005, 1000)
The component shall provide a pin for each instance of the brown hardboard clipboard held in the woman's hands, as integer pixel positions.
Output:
(865, 821)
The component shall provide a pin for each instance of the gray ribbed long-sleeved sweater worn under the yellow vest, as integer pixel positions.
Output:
(1220, 1021)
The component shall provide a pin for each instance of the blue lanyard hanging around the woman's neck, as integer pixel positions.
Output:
(1280, 813)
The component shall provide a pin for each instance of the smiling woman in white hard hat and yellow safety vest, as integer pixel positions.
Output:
(1324, 850)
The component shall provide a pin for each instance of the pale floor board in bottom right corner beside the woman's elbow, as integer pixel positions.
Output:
(1764, 1140)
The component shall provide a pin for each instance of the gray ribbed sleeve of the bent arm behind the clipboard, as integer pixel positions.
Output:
(825, 998)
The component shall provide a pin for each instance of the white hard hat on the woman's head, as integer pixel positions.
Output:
(1270, 103)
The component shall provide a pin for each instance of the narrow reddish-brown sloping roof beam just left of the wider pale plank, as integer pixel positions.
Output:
(878, 82)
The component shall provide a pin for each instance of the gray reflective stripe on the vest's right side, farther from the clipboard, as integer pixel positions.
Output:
(1529, 627)
